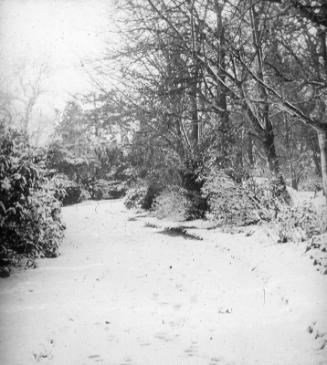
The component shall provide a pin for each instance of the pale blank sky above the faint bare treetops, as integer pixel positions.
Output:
(65, 35)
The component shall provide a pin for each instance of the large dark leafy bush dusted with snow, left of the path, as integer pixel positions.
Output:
(30, 224)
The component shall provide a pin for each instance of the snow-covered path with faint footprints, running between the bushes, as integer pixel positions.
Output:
(122, 293)
